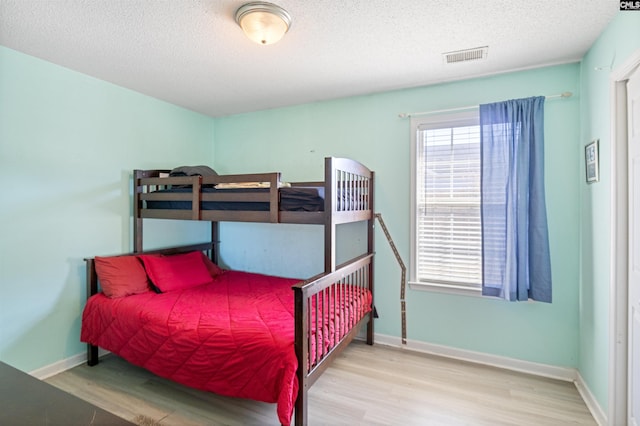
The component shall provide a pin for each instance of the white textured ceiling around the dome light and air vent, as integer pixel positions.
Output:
(192, 53)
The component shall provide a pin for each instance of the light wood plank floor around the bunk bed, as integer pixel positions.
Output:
(366, 385)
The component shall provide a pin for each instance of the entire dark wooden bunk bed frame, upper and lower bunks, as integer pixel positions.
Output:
(340, 174)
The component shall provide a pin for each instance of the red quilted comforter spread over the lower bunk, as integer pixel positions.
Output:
(233, 336)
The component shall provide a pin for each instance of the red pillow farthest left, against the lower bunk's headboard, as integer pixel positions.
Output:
(121, 276)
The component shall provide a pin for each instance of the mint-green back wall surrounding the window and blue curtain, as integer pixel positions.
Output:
(294, 141)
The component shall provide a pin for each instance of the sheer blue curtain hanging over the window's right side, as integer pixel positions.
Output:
(515, 240)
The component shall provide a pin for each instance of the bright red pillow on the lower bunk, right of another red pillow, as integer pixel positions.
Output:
(176, 272)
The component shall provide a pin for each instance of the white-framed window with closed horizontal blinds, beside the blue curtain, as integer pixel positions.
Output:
(446, 220)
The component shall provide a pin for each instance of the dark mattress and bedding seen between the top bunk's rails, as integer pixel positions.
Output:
(308, 199)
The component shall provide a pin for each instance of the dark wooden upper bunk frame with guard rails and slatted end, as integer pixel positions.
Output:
(340, 174)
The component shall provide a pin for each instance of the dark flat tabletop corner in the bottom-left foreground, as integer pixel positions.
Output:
(25, 400)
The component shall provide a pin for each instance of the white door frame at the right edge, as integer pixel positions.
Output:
(619, 281)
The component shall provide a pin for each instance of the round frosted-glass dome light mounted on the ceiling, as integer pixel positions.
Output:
(263, 23)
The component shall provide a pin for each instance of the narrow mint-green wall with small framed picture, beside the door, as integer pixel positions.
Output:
(613, 48)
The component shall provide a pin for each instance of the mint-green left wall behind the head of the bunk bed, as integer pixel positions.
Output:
(68, 143)
